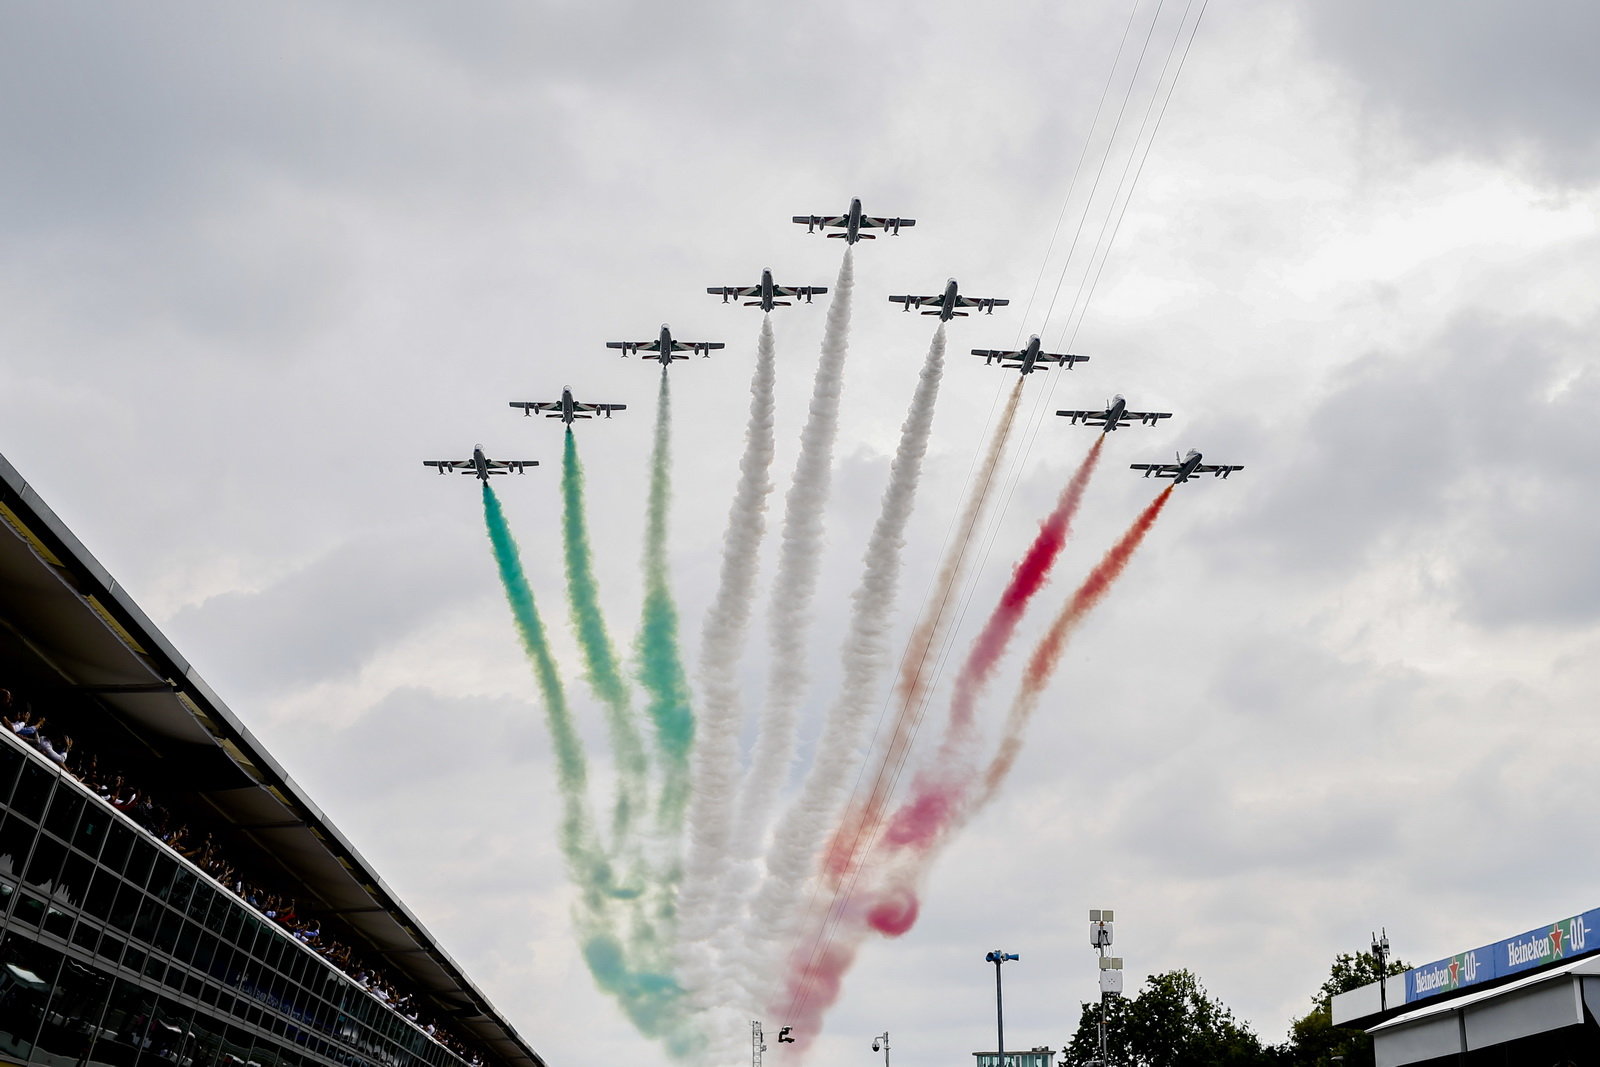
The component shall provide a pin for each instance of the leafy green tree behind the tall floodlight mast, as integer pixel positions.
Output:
(1172, 1023)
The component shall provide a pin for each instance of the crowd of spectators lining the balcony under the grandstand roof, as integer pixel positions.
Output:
(204, 852)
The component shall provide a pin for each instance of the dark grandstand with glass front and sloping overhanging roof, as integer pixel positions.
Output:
(126, 943)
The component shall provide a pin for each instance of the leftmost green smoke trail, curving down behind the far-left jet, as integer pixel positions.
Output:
(636, 977)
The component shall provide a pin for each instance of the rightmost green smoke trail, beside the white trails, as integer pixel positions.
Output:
(660, 663)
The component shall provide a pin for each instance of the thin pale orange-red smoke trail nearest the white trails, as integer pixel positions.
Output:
(862, 821)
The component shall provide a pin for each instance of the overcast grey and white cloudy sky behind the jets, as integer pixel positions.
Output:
(258, 263)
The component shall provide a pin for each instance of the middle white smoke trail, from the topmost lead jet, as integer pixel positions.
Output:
(791, 596)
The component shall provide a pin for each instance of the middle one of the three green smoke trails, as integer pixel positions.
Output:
(602, 673)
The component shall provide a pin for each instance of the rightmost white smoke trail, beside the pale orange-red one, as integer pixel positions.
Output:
(778, 908)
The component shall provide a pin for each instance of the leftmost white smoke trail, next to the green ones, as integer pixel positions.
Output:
(716, 761)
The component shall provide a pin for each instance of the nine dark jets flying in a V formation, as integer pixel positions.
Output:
(769, 295)
